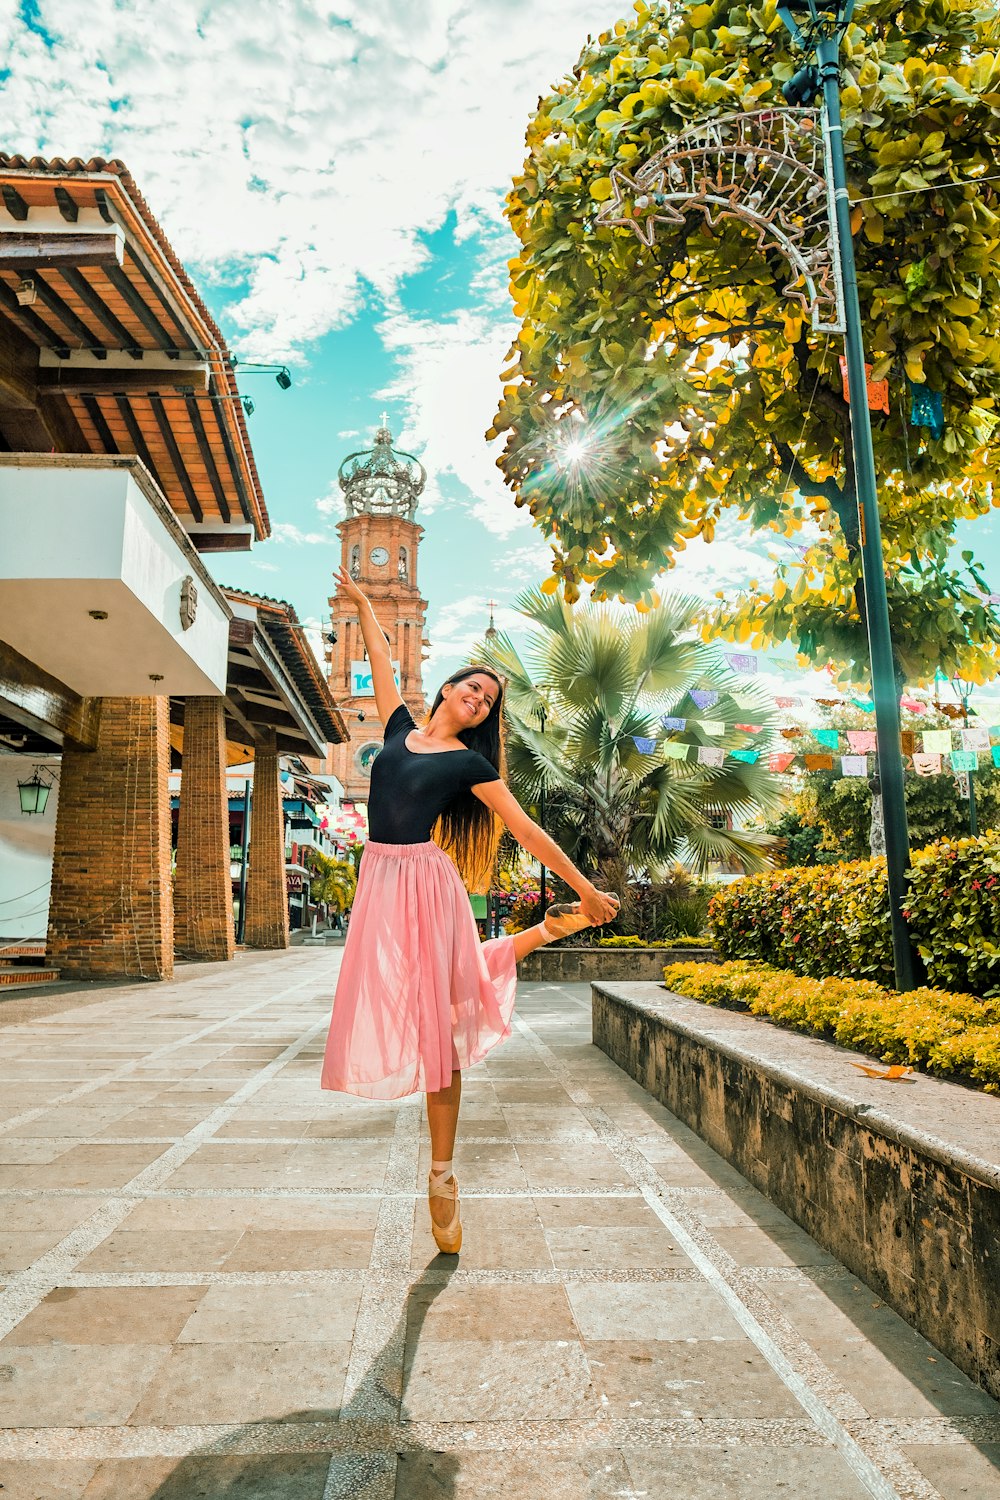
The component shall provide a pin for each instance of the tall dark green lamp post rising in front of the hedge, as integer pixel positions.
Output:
(824, 29)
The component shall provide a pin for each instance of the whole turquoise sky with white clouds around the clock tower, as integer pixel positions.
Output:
(332, 173)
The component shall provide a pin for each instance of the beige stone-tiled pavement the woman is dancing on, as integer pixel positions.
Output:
(217, 1285)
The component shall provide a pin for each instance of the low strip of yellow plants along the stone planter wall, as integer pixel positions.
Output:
(935, 1030)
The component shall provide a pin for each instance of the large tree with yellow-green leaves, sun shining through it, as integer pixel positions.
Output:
(654, 389)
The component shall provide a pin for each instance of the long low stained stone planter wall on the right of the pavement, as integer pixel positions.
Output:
(890, 1186)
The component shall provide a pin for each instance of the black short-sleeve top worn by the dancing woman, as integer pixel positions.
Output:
(410, 791)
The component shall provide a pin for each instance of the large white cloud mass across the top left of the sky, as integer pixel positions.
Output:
(305, 148)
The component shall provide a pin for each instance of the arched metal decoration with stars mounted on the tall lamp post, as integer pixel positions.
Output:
(768, 169)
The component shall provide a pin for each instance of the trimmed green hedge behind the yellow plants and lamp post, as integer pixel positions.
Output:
(834, 919)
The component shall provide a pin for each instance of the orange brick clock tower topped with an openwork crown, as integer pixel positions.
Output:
(379, 547)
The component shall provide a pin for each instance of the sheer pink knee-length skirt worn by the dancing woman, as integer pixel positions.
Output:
(419, 995)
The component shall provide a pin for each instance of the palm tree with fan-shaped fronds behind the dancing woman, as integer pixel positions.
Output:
(593, 680)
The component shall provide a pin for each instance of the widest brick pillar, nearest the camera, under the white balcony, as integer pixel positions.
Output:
(112, 907)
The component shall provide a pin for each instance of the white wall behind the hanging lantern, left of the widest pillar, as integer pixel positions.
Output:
(26, 853)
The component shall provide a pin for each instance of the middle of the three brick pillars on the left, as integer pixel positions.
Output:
(203, 889)
